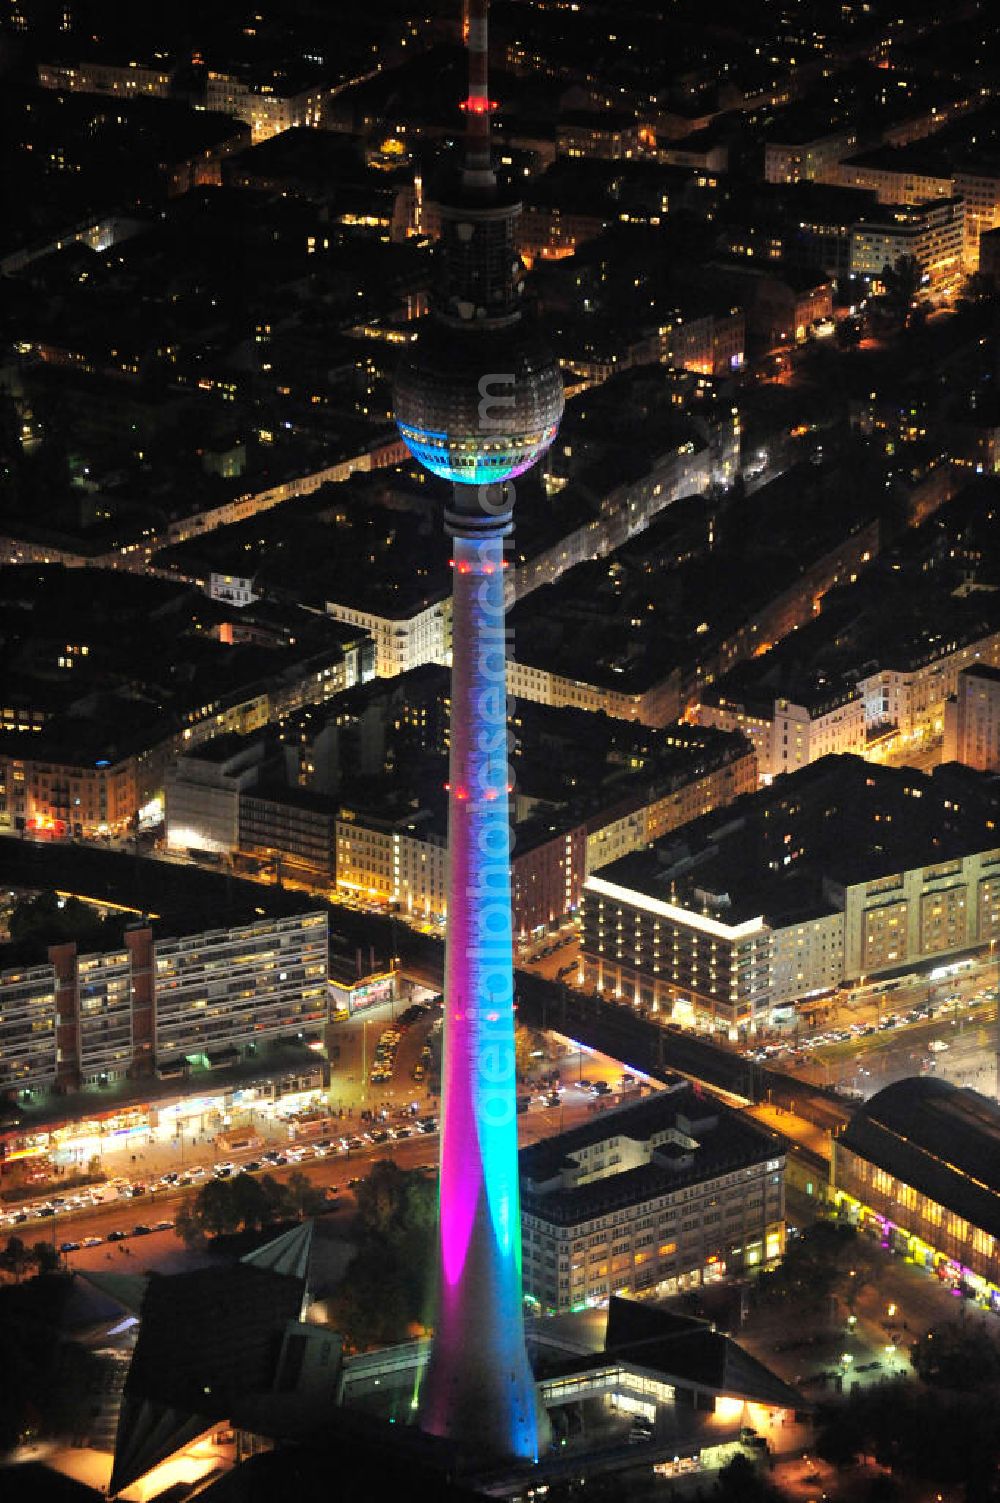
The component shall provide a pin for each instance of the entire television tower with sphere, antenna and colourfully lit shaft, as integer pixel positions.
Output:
(477, 402)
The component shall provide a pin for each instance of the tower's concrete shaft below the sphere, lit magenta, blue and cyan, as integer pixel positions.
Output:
(479, 1385)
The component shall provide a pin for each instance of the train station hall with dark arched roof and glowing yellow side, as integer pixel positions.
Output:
(920, 1169)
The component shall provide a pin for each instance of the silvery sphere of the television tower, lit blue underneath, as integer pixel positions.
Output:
(479, 408)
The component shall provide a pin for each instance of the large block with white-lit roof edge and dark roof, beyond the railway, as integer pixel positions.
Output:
(838, 871)
